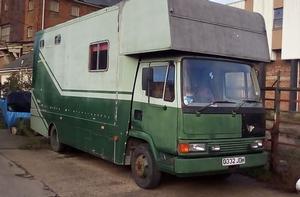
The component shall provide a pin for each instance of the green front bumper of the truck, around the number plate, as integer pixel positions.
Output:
(185, 166)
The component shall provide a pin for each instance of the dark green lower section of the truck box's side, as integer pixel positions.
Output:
(85, 123)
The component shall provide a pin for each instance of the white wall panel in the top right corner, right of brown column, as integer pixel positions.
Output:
(291, 30)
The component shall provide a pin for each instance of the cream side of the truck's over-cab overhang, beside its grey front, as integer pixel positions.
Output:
(144, 26)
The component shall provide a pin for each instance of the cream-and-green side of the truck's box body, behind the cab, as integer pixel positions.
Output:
(91, 110)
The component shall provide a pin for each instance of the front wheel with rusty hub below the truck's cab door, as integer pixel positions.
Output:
(143, 167)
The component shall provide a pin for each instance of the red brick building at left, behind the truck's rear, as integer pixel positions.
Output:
(20, 19)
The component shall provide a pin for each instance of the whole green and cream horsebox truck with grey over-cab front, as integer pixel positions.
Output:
(162, 85)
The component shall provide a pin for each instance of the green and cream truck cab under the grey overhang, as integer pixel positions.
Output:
(202, 114)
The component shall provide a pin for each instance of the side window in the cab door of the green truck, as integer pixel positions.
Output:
(158, 82)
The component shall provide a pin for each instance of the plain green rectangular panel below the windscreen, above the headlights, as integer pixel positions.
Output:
(211, 126)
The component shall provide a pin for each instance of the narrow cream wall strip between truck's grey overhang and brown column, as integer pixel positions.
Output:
(265, 8)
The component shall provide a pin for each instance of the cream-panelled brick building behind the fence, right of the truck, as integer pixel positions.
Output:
(283, 29)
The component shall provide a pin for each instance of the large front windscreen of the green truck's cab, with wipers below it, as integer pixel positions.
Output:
(206, 81)
